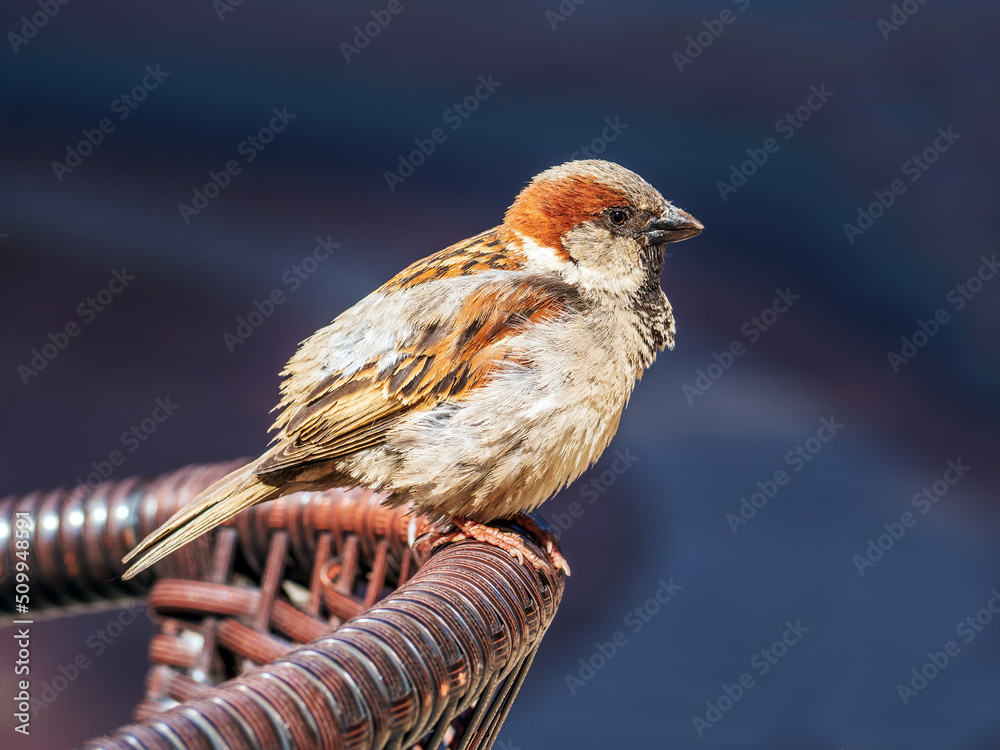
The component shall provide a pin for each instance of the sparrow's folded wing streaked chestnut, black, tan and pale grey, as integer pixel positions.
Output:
(334, 404)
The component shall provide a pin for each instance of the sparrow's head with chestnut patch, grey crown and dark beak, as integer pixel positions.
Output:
(596, 223)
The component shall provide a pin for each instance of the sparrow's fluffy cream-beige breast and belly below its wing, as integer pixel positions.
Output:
(543, 417)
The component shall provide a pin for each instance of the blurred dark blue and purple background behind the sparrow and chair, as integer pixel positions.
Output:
(562, 71)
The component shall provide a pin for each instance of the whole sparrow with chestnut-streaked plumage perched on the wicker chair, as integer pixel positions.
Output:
(480, 380)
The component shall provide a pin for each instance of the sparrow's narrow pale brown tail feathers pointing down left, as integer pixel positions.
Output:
(229, 496)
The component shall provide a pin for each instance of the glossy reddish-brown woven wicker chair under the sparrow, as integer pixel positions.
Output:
(306, 623)
